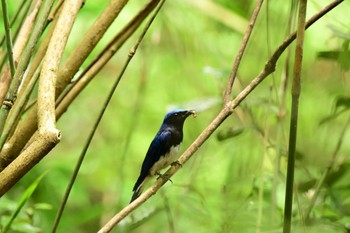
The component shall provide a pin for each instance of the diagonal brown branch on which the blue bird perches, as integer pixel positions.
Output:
(224, 113)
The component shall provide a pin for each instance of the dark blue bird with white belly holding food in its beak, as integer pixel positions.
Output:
(163, 149)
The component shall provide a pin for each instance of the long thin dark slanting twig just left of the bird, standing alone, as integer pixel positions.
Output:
(98, 120)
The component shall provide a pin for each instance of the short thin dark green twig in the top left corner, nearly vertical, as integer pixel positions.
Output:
(8, 38)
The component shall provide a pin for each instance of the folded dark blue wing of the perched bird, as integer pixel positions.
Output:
(159, 146)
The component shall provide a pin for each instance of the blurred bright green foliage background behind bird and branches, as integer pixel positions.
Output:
(234, 183)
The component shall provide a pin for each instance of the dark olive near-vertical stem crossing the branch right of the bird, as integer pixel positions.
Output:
(294, 117)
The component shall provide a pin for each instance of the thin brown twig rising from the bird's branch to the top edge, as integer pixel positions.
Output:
(231, 79)
